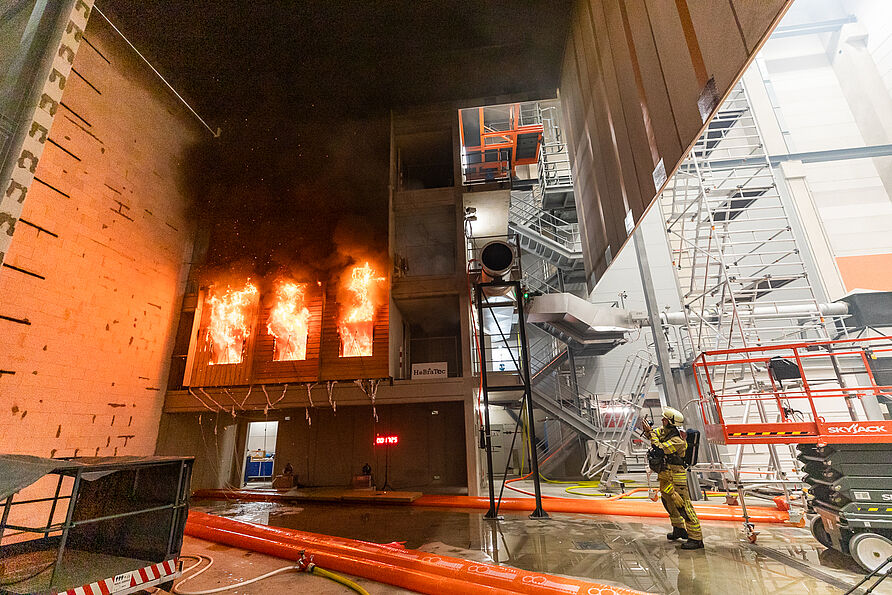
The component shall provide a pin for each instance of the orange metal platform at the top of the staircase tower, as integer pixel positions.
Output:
(496, 139)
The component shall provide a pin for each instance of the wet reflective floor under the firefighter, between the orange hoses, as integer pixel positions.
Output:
(626, 551)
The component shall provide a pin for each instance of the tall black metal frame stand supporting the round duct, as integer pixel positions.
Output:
(524, 369)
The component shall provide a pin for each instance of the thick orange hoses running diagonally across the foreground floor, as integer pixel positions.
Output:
(390, 564)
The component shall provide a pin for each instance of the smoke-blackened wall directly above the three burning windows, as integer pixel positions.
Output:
(275, 203)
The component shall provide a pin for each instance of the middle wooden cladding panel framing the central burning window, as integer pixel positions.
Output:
(268, 371)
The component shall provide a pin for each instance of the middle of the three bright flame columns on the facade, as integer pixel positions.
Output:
(288, 322)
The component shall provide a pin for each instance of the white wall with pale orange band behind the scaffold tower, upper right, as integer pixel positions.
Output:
(830, 91)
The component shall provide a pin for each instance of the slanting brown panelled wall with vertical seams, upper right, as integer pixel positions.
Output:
(639, 79)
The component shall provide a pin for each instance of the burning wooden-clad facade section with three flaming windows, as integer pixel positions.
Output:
(291, 330)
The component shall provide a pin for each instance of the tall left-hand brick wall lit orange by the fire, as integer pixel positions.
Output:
(93, 281)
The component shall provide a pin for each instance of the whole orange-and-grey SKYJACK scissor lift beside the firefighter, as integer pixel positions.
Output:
(823, 396)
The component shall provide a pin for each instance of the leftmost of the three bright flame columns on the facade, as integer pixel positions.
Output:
(229, 326)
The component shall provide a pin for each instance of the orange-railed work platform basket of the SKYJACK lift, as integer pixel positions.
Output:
(823, 392)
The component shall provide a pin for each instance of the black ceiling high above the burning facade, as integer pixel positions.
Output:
(332, 58)
